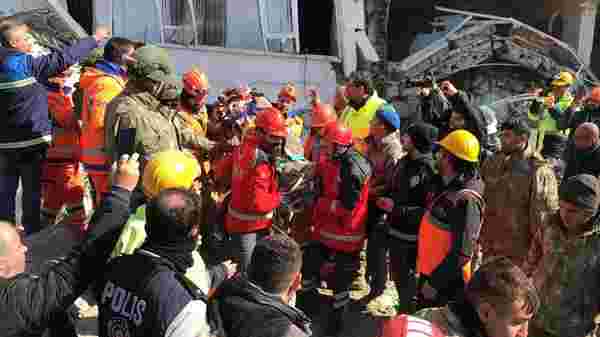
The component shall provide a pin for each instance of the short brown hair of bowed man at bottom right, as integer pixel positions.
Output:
(500, 283)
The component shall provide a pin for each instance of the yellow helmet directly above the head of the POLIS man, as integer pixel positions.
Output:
(169, 169)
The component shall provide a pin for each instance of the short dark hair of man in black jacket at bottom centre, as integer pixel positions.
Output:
(275, 262)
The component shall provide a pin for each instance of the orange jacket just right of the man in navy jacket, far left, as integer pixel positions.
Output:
(65, 134)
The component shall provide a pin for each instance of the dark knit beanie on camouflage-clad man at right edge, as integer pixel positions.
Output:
(581, 190)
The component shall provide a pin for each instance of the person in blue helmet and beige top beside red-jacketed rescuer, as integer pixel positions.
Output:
(384, 151)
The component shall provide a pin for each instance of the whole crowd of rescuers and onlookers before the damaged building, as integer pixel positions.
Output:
(176, 202)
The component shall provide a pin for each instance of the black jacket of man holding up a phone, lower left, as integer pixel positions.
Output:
(29, 302)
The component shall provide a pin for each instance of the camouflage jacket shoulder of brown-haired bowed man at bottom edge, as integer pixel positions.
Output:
(455, 320)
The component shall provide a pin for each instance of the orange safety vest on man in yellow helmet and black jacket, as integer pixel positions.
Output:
(436, 239)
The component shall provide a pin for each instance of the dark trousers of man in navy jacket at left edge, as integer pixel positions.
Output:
(24, 164)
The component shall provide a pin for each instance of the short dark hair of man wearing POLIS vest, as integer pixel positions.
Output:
(172, 214)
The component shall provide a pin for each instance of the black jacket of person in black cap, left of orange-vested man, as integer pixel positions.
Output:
(410, 186)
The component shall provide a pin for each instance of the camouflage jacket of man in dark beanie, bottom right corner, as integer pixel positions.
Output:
(565, 268)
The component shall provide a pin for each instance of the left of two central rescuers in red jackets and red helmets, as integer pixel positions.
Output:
(254, 186)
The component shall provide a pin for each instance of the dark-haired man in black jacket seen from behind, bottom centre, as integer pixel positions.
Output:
(259, 305)
